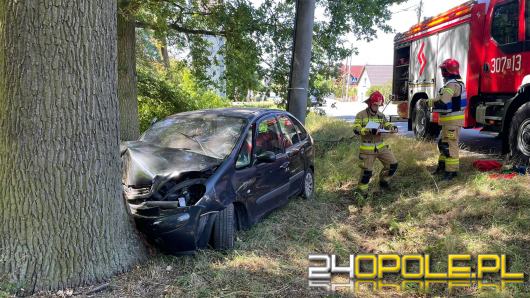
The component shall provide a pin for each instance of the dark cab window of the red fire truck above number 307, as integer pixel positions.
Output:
(505, 24)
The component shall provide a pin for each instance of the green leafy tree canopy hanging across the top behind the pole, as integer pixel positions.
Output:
(258, 38)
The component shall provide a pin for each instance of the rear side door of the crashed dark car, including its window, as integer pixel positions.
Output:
(294, 148)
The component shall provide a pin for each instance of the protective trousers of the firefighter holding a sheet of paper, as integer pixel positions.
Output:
(366, 162)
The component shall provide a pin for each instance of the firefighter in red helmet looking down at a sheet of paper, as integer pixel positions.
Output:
(372, 146)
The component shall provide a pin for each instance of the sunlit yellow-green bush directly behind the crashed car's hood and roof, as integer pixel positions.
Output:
(164, 92)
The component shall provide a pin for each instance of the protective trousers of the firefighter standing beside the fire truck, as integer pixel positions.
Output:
(448, 147)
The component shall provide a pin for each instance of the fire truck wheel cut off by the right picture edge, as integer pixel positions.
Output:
(520, 135)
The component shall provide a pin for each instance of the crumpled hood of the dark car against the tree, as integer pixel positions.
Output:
(143, 161)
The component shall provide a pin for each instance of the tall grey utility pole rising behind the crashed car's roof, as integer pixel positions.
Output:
(301, 59)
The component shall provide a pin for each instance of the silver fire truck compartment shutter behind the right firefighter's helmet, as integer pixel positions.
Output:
(454, 44)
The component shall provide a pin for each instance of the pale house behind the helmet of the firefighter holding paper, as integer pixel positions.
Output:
(373, 75)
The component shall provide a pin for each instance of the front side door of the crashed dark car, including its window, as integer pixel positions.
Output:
(270, 178)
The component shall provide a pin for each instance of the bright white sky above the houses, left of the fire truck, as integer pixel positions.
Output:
(379, 51)
